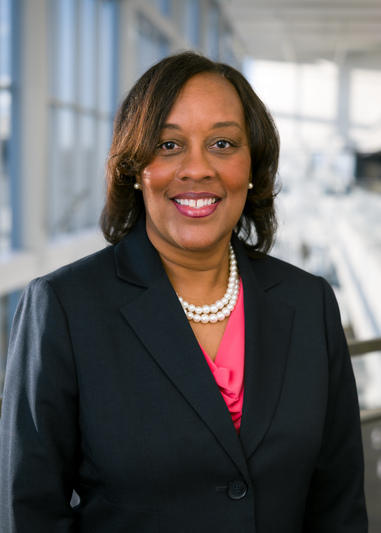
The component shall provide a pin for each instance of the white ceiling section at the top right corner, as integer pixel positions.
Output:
(306, 30)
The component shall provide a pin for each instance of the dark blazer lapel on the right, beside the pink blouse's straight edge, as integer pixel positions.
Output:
(268, 326)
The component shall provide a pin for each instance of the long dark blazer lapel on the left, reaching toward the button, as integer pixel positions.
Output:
(158, 319)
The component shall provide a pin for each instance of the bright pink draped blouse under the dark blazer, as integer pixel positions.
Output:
(229, 364)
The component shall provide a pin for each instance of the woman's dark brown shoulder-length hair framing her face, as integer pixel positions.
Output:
(137, 128)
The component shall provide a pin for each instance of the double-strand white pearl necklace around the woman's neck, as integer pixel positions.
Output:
(222, 308)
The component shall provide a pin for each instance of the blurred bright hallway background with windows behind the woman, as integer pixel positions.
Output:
(66, 64)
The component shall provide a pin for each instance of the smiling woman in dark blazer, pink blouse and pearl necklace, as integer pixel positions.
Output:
(182, 380)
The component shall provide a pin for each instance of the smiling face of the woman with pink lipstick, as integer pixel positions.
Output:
(195, 186)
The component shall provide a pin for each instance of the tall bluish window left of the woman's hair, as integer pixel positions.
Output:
(82, 105)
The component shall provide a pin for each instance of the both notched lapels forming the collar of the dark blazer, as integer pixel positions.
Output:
(158, 319)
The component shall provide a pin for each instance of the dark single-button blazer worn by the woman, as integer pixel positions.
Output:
(108, 392)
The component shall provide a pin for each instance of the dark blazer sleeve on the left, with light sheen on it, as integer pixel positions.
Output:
(39, 428)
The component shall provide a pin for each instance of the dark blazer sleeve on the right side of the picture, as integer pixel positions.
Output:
(336, 502)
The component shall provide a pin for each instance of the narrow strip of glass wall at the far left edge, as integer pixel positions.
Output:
(5, 124)
